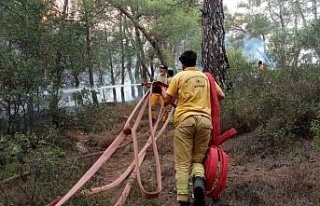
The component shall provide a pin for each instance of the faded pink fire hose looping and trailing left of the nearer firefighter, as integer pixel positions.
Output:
(133, 171)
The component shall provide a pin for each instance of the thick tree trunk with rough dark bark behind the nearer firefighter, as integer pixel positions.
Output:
(214, 57)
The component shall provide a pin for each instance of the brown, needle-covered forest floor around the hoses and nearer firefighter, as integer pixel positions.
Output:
(259, 173)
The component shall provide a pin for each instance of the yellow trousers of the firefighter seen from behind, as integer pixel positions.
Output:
(191, 139)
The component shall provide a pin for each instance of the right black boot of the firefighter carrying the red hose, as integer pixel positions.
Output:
(199, 191)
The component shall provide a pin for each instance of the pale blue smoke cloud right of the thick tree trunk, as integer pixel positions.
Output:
(256, 49)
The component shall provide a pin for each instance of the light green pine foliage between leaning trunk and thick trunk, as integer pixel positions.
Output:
(173, 24)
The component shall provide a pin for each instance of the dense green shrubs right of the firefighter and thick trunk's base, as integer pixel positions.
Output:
(264, 101)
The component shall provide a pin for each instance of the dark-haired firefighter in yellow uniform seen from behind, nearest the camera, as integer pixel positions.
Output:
(192, 119)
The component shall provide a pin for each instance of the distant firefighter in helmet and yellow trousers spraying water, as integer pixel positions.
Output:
(156, 95)
